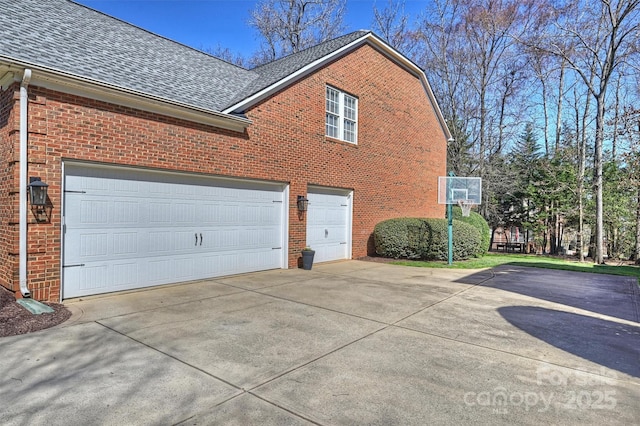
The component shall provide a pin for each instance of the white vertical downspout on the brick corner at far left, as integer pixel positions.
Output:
(24, 98)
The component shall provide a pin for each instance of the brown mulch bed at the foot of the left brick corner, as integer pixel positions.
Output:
(14, 319)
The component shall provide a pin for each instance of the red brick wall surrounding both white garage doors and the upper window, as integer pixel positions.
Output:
(393, 169)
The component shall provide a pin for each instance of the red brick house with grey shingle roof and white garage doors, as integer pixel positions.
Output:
(165, 164)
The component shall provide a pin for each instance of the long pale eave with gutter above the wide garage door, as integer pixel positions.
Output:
(97, 90)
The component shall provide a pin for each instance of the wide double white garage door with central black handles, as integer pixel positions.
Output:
(127, 228)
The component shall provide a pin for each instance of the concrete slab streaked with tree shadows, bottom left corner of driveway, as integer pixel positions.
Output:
(88, 374)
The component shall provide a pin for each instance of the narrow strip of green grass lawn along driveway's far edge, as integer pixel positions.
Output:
(494, 259)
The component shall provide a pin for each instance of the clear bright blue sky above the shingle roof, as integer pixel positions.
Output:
(205, 24)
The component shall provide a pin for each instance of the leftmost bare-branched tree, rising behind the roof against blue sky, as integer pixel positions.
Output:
(289, 26)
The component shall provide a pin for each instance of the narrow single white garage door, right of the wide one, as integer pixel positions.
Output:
(329, 224)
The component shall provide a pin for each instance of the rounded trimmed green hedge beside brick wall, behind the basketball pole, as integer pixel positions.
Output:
(426, 239)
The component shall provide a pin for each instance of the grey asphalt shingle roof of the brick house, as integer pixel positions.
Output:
(75, 40)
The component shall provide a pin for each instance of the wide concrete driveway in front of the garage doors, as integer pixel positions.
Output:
(346, 343)
